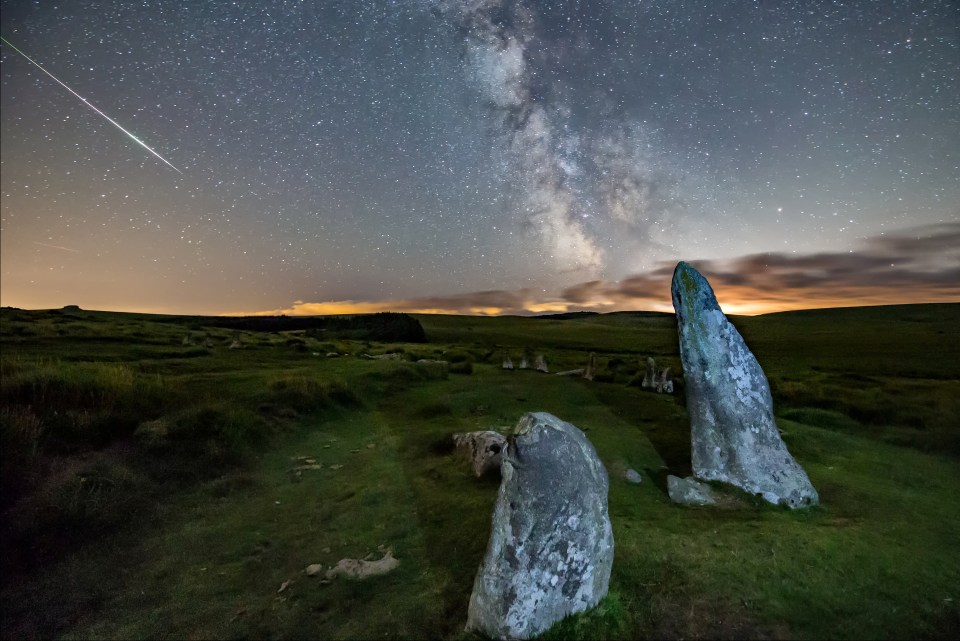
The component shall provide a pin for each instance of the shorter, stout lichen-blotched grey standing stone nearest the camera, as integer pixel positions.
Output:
(551, 545)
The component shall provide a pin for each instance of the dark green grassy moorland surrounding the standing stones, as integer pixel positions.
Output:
(150, 489)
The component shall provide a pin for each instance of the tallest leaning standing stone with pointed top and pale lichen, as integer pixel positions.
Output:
(733, 435)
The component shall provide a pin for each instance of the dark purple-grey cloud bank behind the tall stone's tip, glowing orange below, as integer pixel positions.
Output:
(915, 265)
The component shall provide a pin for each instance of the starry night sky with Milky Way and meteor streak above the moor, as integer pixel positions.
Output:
(478, 156)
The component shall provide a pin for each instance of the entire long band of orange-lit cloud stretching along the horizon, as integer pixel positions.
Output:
(916, 265)
